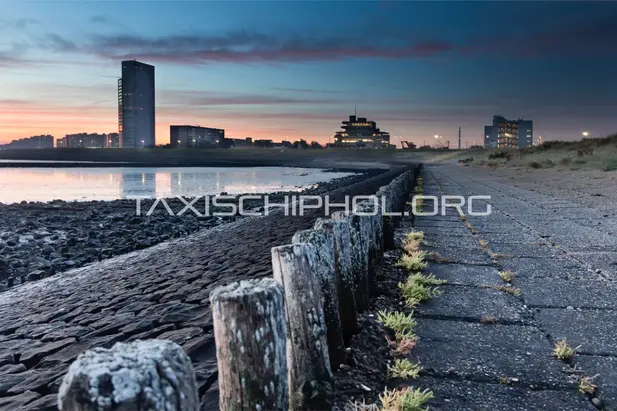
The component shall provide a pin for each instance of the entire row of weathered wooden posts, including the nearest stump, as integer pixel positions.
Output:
(277, 339)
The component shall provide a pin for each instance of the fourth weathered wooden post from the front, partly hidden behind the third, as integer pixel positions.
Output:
(323, 242)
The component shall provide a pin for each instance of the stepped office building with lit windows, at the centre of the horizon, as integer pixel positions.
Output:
(361, 133)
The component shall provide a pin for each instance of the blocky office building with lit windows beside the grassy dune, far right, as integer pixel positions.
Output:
(504, 133)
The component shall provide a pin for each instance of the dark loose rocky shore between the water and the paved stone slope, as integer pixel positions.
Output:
(40, 239)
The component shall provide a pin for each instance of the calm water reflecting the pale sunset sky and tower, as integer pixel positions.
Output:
(84, 184)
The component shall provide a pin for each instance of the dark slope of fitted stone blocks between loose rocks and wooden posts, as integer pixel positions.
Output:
(160, 292)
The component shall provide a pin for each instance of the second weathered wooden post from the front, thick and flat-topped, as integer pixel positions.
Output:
(250, 335)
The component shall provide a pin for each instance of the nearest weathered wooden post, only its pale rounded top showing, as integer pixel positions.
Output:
(150, 375)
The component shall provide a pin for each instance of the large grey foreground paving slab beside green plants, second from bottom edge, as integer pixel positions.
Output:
(487, 351)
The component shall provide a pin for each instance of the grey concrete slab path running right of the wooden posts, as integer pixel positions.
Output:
(485, 348)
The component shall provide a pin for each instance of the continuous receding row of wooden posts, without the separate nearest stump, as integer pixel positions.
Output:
(279, 339)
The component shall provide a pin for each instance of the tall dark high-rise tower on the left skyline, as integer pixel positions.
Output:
(136, 117)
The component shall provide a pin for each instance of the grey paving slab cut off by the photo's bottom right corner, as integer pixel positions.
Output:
(605, 370)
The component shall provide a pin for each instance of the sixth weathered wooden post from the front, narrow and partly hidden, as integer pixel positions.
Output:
(359, 253)
